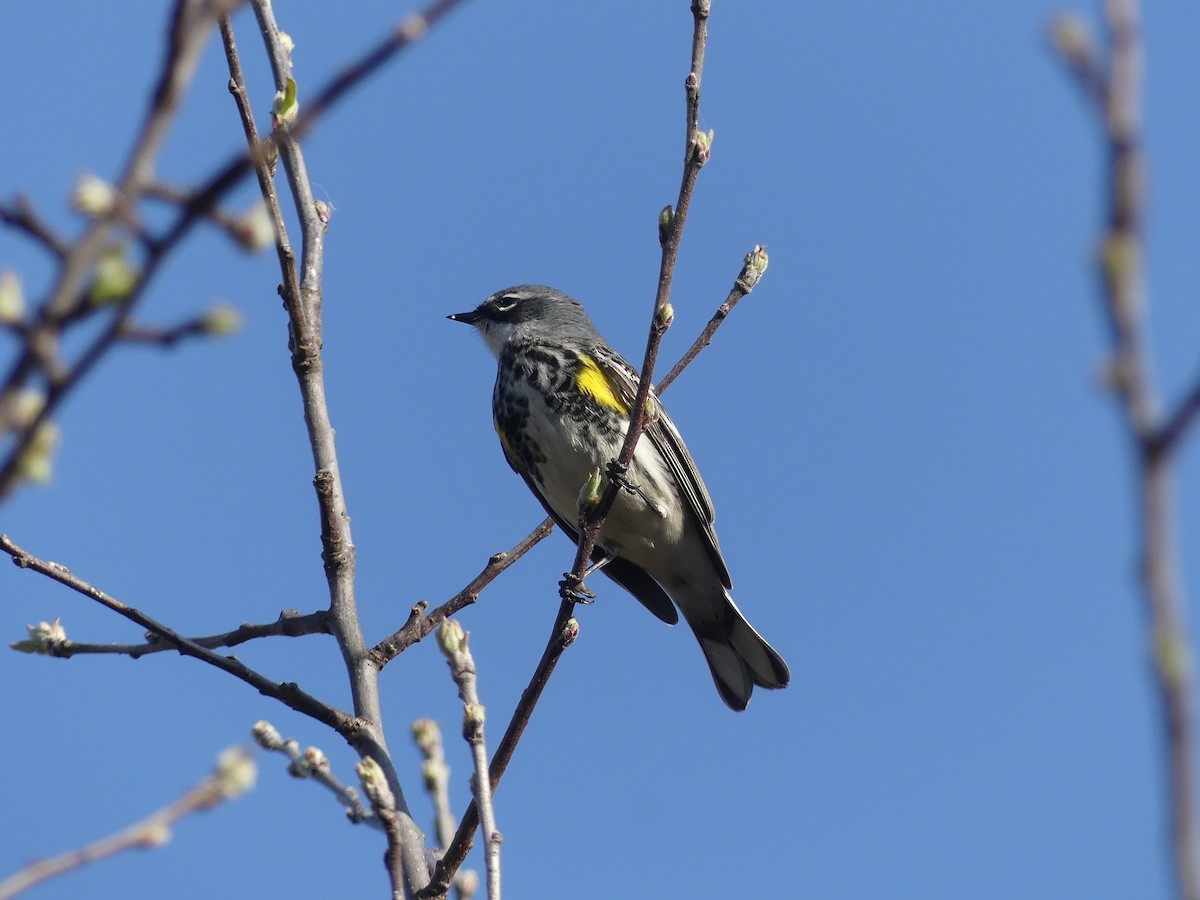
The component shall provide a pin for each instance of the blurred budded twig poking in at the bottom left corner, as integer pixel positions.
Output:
(235, 776)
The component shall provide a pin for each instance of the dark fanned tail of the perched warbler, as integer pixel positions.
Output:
(737, 655)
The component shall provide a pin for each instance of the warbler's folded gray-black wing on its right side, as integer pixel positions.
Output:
(665, 437)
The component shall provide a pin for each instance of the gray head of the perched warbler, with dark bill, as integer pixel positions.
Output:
(529, 311)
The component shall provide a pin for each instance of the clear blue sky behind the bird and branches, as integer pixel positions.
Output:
(922, 493)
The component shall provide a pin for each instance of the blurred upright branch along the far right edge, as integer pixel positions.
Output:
(1118, 95)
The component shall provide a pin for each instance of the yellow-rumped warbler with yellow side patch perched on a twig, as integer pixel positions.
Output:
(561, 406)
